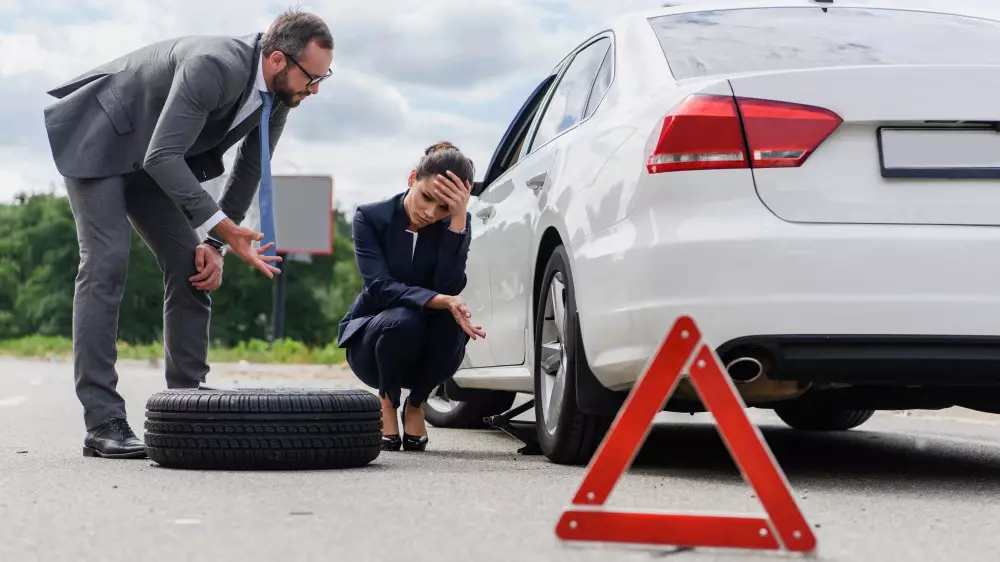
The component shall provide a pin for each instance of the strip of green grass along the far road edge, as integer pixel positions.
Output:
(254, 351)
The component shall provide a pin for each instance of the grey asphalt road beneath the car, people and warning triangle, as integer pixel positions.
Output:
(915, 487)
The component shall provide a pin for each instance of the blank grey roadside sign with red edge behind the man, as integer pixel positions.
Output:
(303, 214)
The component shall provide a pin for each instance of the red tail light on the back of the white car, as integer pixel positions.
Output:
(706, 132)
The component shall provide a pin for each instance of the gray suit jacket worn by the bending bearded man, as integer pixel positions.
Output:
(167, 108)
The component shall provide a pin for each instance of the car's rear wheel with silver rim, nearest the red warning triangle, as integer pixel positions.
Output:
(566, 435)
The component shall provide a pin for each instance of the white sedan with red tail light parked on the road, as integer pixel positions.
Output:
(816, 183)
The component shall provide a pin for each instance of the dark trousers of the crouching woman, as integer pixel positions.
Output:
(406, 348)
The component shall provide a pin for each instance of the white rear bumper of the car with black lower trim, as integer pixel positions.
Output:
(848, 303)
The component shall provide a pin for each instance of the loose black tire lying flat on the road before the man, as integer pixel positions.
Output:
(263, 429)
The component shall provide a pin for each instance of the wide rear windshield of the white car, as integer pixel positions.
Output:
(766, 39)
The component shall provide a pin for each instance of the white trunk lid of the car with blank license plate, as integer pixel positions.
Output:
(916, 145)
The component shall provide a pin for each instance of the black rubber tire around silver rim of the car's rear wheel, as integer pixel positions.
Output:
(577, 434)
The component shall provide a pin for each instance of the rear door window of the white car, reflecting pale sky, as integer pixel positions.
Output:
(569, 100)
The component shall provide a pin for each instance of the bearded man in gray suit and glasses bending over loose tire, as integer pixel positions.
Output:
(134, 139)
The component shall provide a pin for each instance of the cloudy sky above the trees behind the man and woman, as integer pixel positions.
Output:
(407, 73)
